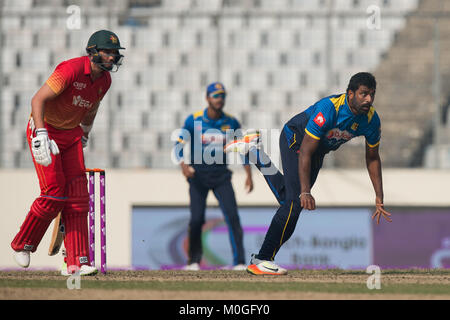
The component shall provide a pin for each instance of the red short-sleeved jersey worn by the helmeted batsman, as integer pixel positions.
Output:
(76, 91)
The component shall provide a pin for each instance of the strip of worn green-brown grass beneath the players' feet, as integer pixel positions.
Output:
(410, 282)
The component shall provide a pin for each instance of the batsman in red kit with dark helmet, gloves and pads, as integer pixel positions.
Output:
(62, 114)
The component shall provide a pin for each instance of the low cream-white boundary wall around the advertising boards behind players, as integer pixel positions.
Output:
(406, 188)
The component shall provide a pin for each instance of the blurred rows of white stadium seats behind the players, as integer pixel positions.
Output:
(274, 64)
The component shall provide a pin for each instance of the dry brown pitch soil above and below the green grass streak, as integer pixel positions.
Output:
(299, 277)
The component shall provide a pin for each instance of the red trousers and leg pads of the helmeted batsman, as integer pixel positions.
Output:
(63, 187)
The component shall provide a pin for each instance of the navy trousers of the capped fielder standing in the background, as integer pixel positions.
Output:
(219, 181)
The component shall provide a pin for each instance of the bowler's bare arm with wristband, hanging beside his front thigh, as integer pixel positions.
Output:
(307, 148)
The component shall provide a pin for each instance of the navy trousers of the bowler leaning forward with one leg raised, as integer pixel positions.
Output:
(285, 187)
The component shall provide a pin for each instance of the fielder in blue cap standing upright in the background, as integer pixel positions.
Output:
(206, 131)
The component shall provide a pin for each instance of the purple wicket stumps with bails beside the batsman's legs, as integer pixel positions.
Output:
(102, 175)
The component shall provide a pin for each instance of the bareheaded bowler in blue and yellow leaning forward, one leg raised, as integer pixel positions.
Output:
(304, 141)
